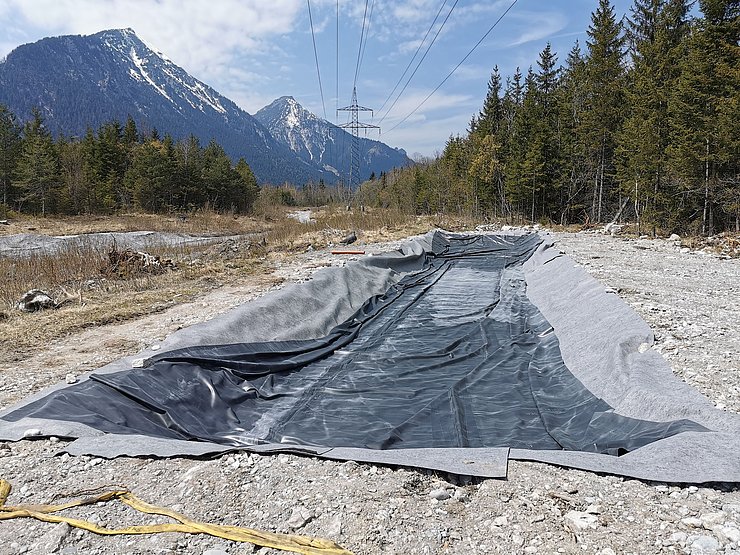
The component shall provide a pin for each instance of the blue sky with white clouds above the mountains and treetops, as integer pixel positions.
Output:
(254, 51)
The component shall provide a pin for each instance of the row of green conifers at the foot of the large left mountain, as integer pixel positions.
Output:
(115, 168)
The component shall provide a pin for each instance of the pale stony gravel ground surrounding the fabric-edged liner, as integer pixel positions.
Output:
(690, 299)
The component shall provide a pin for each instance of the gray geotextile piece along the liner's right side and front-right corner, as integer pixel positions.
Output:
(600, 341)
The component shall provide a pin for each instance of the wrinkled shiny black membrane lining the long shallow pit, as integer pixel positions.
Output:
(452, 356)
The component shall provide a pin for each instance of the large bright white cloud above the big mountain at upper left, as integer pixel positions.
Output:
(202, 37)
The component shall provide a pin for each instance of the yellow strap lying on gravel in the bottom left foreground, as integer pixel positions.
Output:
(286, 542)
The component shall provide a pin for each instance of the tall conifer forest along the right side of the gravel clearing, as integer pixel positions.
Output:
(643, 124)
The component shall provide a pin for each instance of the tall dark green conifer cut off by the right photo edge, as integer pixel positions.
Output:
(703, 112)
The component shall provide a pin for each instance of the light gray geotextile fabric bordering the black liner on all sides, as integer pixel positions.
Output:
(600, 339)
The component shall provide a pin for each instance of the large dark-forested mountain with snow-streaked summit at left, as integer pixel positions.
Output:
(84, 81)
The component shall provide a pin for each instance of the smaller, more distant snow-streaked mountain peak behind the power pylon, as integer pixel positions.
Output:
(320, 142)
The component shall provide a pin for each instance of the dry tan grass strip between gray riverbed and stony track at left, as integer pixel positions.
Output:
(88, 298)
